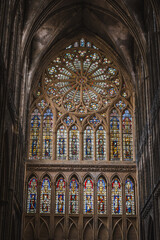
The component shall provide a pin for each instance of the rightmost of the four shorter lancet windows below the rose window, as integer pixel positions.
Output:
(100, 143)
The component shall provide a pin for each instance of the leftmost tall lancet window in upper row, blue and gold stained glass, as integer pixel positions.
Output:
(35, 135)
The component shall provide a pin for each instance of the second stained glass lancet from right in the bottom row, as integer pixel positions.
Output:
(116, 196)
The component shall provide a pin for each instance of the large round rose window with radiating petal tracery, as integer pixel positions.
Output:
(82, 79)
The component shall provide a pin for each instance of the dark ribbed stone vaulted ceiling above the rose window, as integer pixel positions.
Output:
(118, 23)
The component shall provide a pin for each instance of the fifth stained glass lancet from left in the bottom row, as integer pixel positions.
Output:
(88, 196)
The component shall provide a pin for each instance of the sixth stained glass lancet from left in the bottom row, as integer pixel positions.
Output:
(101, 196)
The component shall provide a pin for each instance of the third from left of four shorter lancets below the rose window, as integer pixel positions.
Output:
(88, 143)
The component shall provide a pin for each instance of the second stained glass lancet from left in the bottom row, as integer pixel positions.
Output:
(45, 199)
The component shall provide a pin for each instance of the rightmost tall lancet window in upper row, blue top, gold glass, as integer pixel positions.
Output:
(127, 135)
